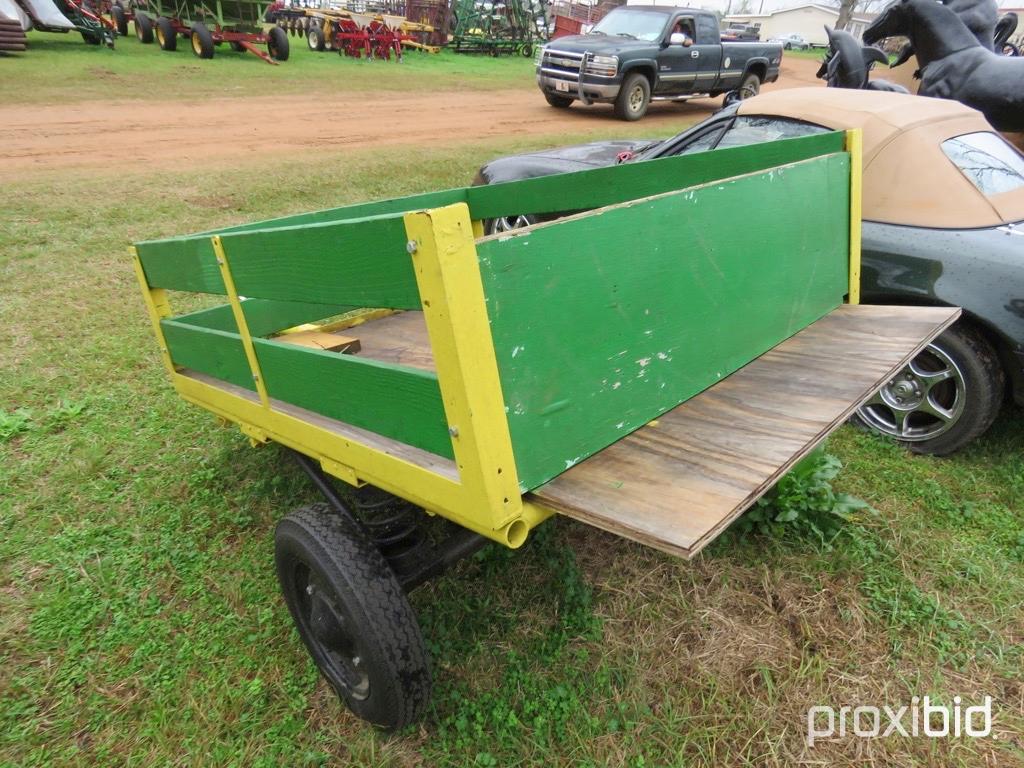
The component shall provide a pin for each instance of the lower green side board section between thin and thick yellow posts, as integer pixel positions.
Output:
(404, 404)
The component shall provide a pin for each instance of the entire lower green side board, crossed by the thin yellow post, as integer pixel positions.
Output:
(401, 403)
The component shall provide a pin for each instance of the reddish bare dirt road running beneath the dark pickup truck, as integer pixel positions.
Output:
(167, 135)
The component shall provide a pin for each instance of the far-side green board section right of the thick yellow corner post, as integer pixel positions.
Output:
(606, 187)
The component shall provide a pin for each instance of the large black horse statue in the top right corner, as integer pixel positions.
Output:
(954, 64)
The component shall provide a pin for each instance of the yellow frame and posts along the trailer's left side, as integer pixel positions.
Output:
(486, 498)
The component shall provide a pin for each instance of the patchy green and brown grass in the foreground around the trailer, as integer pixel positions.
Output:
(141, 623)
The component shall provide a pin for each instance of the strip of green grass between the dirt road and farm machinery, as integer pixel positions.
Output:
(75, 72)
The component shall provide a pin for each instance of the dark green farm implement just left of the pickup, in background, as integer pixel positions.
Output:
(496, 28)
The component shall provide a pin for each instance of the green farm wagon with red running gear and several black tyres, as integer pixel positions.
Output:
(238, 23)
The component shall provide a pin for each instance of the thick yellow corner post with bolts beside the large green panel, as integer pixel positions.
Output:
(449, 278)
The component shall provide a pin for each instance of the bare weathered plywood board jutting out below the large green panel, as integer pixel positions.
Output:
(677, 484)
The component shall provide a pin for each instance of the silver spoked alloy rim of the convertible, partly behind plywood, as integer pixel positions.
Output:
(922, 402)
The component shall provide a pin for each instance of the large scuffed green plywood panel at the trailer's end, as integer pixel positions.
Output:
(606, 321)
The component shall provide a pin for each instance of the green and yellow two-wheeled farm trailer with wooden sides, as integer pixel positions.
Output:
(650, 365)
